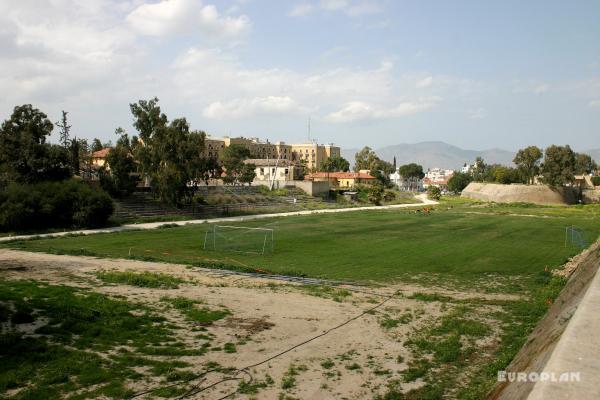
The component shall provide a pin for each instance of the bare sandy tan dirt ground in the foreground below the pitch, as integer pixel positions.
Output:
(267, 318)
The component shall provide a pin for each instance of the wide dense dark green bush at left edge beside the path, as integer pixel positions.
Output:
(63, 204)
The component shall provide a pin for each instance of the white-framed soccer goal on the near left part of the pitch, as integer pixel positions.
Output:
(239, 239)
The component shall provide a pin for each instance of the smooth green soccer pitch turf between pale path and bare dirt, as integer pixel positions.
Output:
(374, 245)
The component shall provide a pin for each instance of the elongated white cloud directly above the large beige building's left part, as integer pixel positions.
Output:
(239, 108)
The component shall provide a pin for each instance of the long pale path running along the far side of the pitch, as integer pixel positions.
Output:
(153, 225)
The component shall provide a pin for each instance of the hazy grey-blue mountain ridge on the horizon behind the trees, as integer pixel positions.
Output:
(436, 154)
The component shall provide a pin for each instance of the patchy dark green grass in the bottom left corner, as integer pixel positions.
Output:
(82, 347)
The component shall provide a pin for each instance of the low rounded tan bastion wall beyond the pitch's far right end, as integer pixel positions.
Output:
(537, 194)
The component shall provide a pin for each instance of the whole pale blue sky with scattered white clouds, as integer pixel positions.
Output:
(477, 74)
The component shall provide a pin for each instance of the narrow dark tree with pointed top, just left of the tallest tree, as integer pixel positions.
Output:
(120, 180)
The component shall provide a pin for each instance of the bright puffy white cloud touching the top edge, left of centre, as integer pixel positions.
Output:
(169, 17)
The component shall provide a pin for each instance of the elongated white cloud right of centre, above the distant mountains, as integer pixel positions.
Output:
(360, 110)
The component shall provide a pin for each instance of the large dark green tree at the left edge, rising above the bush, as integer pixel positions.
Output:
(24, 154)
